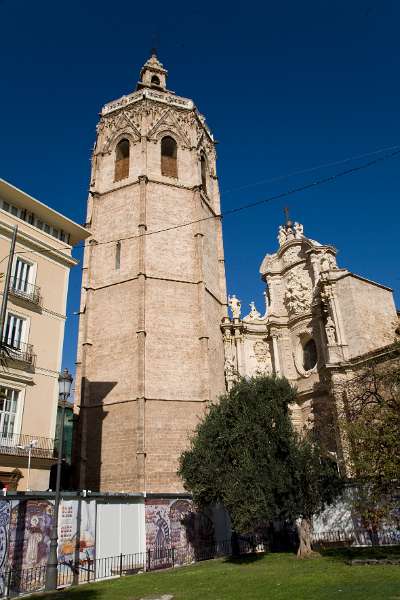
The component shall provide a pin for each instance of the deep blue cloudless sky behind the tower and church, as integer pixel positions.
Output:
(285, 86)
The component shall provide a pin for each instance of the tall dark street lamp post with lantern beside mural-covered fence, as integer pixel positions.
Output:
(64, 390)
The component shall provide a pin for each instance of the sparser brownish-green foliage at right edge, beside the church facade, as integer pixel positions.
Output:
(372, 427)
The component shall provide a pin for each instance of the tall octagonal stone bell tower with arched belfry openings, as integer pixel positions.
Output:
(150, 352)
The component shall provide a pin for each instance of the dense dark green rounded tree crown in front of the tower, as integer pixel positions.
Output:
(246, 454)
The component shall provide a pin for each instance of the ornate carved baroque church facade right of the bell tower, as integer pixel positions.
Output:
(320, 325)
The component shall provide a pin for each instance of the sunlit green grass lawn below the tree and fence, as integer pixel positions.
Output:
(260, 577)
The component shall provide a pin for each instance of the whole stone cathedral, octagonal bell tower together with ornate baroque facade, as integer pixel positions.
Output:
(156, 344)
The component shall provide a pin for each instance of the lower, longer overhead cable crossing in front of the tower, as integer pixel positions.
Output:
(247, 206)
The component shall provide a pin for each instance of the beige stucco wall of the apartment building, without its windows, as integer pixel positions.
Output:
(50, 261)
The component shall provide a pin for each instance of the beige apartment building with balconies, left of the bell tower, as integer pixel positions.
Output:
(33, 334)
